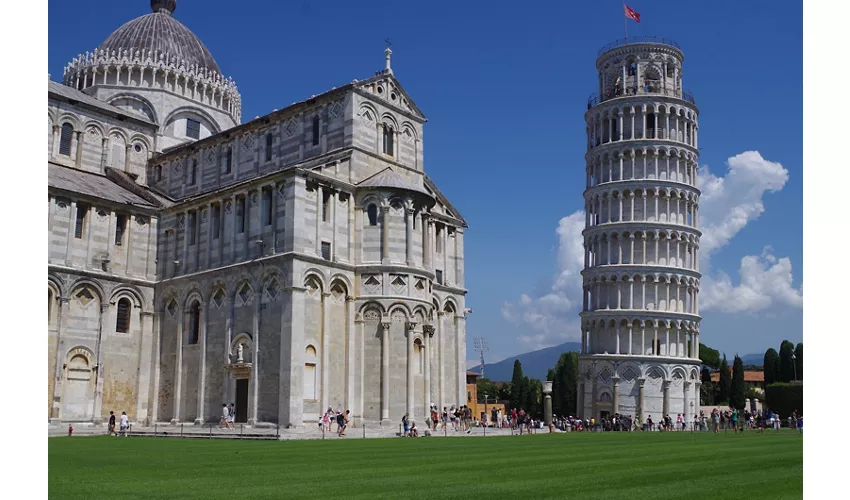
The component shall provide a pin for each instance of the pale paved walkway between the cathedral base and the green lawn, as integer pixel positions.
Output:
(267, 433)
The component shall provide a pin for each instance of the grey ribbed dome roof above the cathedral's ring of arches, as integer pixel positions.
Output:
(160, 32)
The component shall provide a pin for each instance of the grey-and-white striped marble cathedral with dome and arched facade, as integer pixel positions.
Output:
(299, 261)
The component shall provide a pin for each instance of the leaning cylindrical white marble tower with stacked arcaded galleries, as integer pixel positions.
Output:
(640, 315)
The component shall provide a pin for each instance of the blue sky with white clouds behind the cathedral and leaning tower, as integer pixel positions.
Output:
(504, 86)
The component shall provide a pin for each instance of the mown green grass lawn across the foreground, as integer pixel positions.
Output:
(557, 466)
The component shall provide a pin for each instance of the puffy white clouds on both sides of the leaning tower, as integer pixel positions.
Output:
(727, 205)
